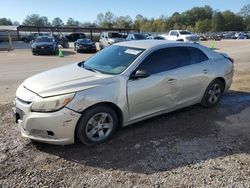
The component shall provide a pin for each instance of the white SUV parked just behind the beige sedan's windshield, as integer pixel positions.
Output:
(109, 38)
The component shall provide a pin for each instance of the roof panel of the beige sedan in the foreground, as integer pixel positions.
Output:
(146, 44)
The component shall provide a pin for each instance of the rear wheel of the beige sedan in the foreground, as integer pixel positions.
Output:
(213, 94)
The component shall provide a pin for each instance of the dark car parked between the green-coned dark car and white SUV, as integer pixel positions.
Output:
(83, 45)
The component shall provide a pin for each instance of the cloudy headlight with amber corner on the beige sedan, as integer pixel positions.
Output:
(51, 104)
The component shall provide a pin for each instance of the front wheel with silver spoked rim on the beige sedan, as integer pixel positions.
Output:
(97, 125)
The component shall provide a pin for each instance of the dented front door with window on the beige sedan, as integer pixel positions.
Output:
(158, 91)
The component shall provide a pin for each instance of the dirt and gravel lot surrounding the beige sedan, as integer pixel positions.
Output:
(193, 147)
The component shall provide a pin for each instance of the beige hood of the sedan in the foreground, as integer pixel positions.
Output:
(66, 79)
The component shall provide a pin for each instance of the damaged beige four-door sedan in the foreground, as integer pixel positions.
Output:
(120, 85)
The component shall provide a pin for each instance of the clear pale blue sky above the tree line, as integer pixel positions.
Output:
(87, 10)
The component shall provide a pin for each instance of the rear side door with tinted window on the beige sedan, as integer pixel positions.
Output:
(193, 74)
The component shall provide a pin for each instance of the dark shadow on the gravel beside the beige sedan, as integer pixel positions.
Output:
(188, 136)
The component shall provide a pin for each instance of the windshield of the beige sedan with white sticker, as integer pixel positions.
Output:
(112, 60)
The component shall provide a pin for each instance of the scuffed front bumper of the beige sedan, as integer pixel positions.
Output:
(53, 127)
